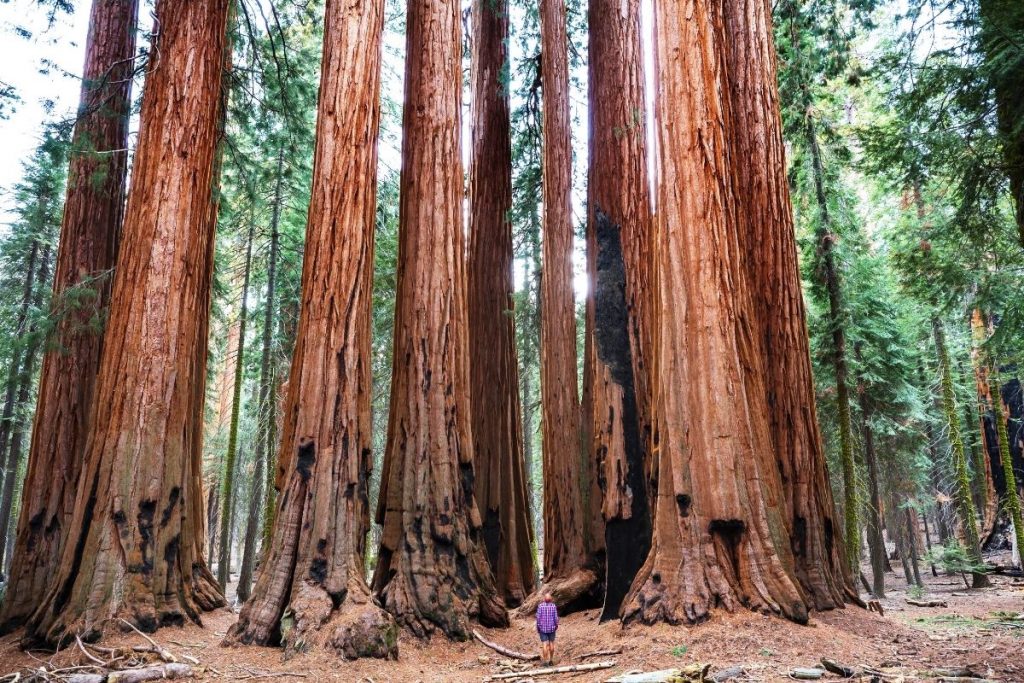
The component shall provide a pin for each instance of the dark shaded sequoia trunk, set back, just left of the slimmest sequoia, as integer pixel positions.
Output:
(501, 481)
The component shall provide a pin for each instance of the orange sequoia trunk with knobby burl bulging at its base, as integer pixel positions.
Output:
(315, 565)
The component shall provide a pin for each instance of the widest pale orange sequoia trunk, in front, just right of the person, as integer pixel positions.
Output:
(719, 535)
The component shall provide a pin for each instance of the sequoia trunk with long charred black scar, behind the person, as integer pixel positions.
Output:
(619, 257)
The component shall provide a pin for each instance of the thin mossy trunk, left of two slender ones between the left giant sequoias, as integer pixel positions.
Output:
(228, 481)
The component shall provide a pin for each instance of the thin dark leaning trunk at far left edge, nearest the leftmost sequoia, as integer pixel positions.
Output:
(25, 380)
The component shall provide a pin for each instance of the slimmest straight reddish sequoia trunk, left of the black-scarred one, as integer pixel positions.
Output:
(566, 557)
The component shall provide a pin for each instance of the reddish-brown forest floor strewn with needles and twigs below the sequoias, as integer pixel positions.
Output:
(976, 631)
